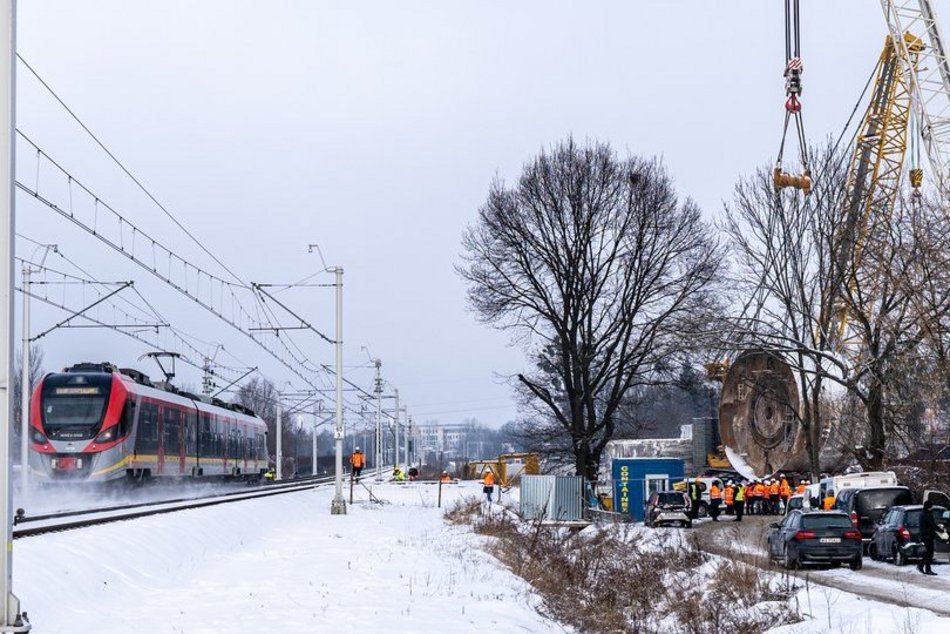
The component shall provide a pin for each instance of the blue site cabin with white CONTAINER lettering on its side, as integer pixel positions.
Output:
(634, 479)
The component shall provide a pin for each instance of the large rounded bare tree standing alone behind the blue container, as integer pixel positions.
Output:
(601, 271)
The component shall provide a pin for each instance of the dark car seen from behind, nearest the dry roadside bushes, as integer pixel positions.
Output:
(821, 537)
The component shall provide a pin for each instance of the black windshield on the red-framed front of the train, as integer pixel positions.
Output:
(73, 405)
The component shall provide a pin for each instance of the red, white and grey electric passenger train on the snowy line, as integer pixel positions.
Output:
(95, 422)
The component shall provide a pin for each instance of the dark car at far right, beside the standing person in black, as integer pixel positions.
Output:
(897, 536)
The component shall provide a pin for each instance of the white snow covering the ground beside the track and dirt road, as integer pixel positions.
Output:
(284, 564)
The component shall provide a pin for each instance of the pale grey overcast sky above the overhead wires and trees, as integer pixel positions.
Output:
(374, 129)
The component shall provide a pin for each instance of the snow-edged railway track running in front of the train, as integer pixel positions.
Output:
(31, 525)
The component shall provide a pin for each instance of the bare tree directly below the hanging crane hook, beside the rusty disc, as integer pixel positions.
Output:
(783, 245)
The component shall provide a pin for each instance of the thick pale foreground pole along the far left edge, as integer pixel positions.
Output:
(10, 618)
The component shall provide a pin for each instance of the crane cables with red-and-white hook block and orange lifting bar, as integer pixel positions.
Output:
(793, 107)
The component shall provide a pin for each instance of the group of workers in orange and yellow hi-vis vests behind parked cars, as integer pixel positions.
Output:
(767, 496)
